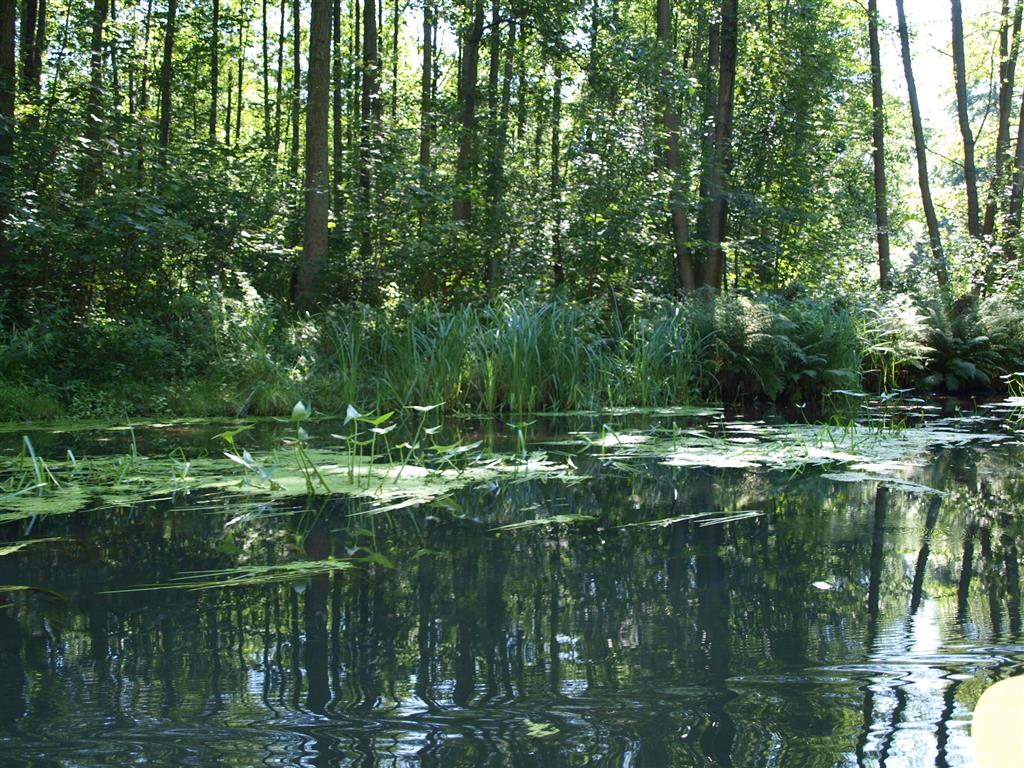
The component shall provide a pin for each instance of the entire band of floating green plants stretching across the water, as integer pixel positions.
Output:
(30, 487)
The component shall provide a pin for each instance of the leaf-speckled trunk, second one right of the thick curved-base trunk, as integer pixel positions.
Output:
(370, 112)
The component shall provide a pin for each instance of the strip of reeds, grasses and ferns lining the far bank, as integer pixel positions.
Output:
(222, 357)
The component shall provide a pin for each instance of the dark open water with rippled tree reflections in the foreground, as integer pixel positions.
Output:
(582, 646)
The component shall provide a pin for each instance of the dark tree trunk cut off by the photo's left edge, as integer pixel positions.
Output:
(9, 90)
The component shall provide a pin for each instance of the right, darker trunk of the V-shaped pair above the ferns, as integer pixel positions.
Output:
(723, 141)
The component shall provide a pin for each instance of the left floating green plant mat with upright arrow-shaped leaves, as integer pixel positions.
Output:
(31, 488)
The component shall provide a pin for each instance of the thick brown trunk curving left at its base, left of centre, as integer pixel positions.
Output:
(318, 180)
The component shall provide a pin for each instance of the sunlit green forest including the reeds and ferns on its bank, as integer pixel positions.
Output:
(216, 208)
